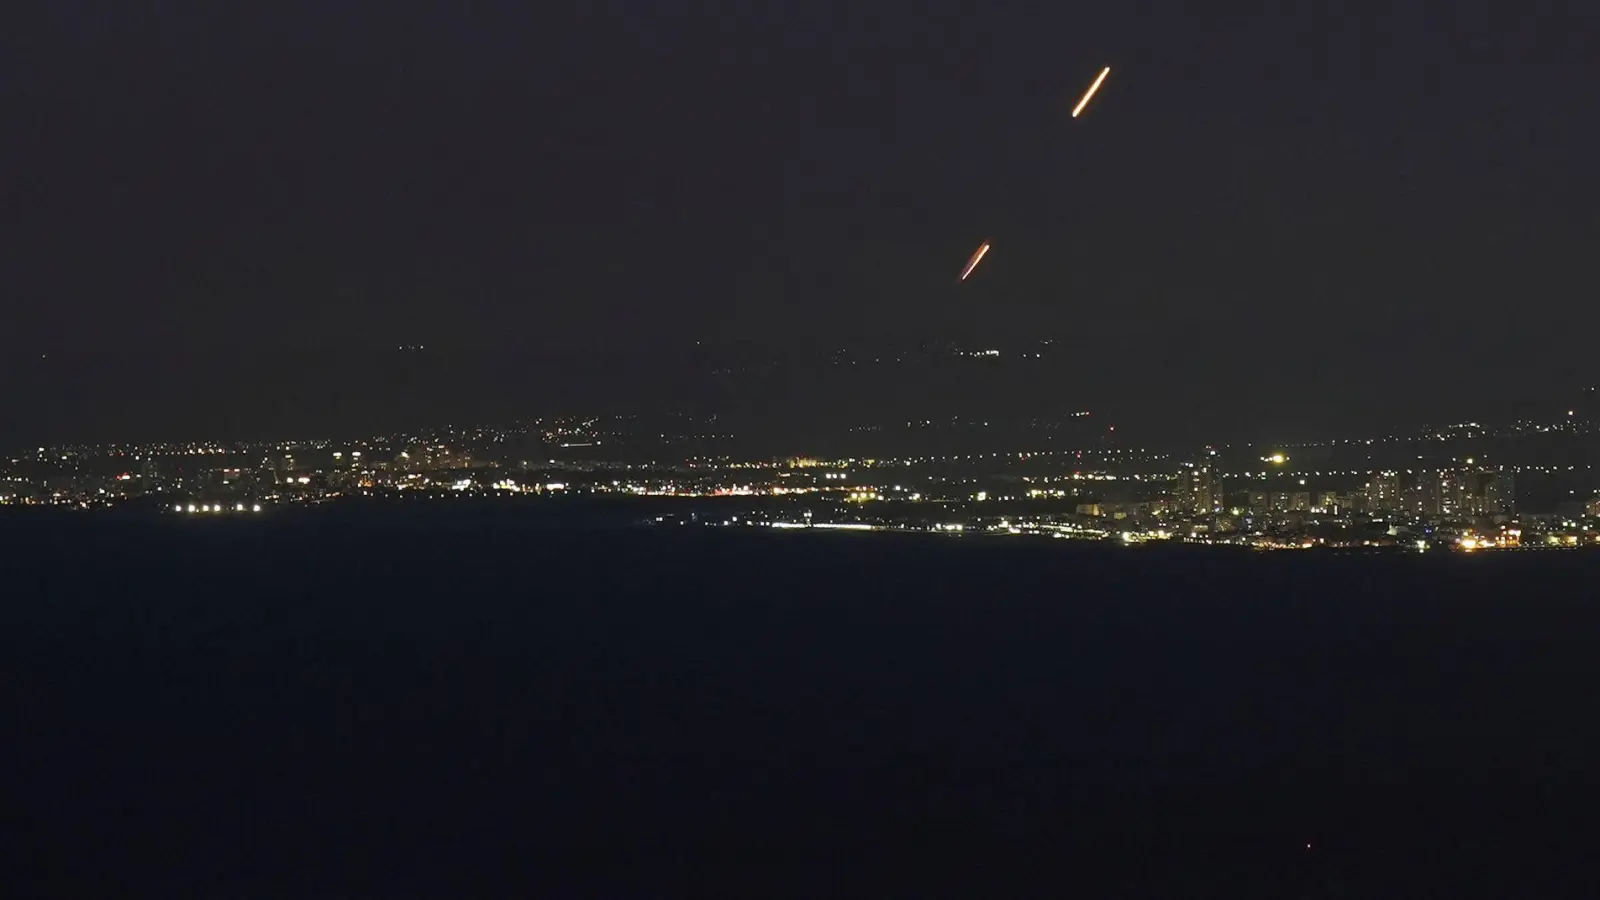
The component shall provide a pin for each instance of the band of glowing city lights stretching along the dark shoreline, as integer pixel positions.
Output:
(1414, 497)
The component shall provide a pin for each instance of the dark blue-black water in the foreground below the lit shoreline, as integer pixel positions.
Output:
(460, 707)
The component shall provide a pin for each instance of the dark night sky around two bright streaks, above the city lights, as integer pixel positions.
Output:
(1350, 201)
